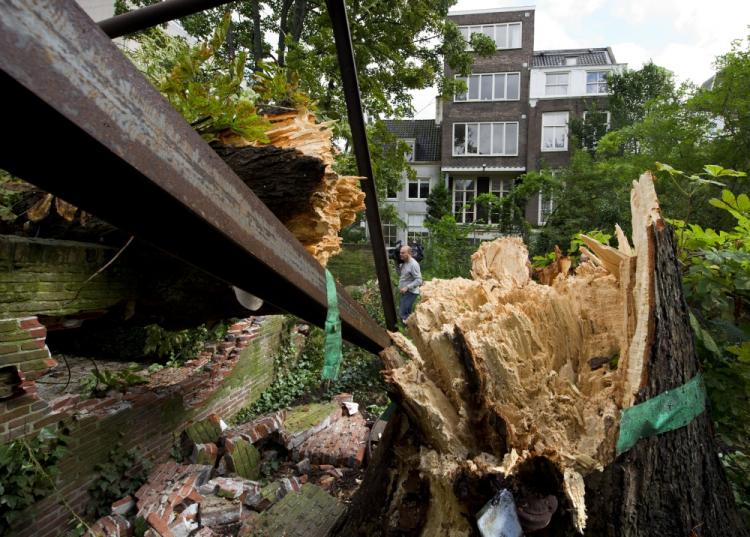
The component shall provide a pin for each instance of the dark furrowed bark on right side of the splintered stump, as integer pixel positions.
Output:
(671, 484)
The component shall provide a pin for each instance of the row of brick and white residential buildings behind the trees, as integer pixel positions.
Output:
(515, 116)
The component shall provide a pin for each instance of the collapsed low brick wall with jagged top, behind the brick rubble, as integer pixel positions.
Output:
(222, 379)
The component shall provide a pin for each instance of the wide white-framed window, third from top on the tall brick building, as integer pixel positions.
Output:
(493, 139)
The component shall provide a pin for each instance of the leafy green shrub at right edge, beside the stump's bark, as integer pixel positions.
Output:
(716, 280)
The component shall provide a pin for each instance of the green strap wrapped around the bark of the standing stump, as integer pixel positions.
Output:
(665, 412)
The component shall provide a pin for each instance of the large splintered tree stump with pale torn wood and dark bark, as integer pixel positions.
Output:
(520, 385)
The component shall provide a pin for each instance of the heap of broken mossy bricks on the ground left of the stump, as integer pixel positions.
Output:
(265, 477)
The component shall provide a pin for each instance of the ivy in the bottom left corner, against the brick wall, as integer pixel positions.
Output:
(28, 469)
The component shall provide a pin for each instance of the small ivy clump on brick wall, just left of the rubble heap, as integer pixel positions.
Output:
(121, 475)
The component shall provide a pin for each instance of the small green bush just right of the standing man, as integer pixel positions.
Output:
(447, 253)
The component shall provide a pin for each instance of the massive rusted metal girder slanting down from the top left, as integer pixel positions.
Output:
(88, 127)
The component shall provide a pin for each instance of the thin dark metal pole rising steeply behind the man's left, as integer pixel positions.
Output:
(345, 52)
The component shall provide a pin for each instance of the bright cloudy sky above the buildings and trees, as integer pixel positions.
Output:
(682, 35)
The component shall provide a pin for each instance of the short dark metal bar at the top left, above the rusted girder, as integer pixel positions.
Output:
(159, 13)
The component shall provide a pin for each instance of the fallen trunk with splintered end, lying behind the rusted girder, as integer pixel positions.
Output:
(292, 174)
